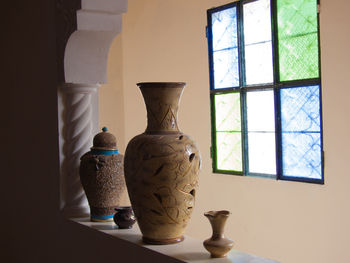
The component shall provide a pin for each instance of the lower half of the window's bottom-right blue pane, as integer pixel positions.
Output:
(301, 155)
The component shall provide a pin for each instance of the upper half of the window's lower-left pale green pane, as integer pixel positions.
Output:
(228, 112)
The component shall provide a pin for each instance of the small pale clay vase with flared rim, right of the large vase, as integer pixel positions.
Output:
(218, 245)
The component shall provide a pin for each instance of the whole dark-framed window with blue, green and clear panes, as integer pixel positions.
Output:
(265, 89)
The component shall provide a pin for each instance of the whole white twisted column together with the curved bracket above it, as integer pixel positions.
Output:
(86, 30)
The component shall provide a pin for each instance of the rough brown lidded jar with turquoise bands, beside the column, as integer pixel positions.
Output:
(102, 176)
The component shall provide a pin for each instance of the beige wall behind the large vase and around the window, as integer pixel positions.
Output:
(164, 40)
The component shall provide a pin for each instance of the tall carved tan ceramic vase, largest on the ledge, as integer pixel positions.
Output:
(161, 168)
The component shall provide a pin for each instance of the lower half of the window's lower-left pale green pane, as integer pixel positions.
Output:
(229, 151)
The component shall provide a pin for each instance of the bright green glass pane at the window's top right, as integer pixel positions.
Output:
(297, 39)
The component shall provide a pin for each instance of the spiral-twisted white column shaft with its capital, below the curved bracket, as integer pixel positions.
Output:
(78, 125)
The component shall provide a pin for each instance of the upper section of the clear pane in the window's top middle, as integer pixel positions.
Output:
(257, 22)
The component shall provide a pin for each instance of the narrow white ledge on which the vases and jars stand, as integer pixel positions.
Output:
(190, 250)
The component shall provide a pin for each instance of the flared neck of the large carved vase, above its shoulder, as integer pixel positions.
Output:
(162, 100)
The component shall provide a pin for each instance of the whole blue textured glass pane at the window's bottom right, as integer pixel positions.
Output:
(301, 133)
